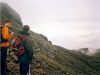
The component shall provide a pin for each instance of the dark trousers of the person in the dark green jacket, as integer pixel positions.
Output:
(24, 68)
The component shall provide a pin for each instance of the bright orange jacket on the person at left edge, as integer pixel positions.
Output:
(6, 35)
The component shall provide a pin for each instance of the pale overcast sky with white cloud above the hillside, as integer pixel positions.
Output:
(69, 23)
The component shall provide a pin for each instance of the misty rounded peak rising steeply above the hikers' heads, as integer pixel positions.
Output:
(6, 12)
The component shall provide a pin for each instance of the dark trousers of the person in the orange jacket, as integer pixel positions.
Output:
(3, 60)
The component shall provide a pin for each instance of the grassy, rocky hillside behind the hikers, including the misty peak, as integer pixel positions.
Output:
(49, 59)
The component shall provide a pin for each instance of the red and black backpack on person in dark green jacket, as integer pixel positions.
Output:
(17, 45)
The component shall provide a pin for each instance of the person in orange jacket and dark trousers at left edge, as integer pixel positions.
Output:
(5, 36)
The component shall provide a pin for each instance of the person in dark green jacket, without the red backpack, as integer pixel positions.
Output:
(25, 57)
